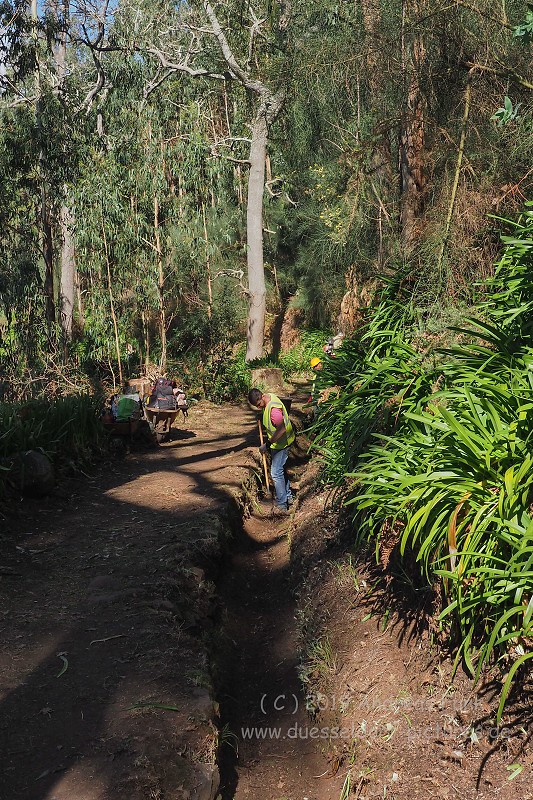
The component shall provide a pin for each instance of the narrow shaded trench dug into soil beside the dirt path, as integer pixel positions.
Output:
(264, 750)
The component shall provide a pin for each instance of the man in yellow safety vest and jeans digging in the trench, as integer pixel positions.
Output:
(280, 436)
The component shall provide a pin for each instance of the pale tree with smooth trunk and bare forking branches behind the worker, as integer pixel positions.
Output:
(230, 42)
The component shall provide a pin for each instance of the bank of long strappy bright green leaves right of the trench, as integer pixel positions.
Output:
(430, 449)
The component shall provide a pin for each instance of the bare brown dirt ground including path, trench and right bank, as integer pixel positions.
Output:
(154, 617)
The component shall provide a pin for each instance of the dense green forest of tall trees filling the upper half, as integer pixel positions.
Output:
(174, 177)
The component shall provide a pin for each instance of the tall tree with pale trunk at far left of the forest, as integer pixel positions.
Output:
(37, 76)
